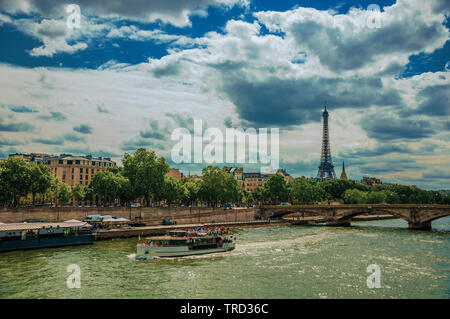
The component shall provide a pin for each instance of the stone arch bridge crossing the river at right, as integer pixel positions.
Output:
(418, 216)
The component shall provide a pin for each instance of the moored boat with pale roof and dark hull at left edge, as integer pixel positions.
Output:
(41, 235)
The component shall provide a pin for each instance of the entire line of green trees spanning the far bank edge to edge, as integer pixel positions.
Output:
(143, 177)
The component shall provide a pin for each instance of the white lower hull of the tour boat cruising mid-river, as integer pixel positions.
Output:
(148, 252)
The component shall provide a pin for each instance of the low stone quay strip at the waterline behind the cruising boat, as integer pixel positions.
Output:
(104, 234)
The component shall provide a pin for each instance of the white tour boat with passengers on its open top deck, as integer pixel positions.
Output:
(179, 243)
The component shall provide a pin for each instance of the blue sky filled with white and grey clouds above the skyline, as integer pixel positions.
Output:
(100, 89)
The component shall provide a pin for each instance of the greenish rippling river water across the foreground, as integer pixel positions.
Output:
(269, 262)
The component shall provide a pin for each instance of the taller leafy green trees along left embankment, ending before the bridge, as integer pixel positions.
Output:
(143, 177)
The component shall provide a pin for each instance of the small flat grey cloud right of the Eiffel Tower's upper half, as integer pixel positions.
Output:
(388, 128)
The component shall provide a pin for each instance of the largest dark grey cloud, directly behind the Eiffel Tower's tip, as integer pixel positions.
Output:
(275, 101)
